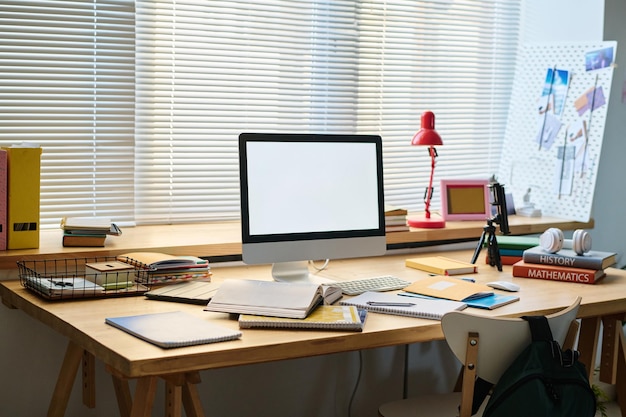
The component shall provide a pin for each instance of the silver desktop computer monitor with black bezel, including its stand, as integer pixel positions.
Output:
(310, 197)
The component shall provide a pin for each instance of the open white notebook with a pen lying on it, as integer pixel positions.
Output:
(391, 303)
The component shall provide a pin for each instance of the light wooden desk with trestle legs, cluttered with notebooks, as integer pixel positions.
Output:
(128, 357)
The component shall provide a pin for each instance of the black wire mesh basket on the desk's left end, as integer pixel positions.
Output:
(70, 278)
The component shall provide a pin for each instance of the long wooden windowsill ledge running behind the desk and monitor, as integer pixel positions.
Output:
(223, 239)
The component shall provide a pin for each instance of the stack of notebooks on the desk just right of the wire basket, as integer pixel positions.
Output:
(159, 268)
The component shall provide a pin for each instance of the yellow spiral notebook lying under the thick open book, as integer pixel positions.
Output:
(324, 317)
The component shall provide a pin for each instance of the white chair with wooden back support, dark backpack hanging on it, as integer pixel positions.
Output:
(485, 346)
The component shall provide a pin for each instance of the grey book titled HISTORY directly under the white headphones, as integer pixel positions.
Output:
(567, 257)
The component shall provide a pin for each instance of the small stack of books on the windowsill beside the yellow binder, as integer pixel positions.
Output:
(87, 231)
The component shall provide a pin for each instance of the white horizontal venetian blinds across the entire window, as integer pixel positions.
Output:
(138, 104)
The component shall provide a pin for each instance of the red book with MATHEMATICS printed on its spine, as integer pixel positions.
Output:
(557, 273)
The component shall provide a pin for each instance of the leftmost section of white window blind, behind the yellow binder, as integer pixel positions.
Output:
(67, 84)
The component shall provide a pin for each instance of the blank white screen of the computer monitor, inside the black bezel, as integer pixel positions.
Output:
(299, 187)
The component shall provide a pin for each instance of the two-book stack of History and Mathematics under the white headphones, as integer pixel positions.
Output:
(564, 265)
